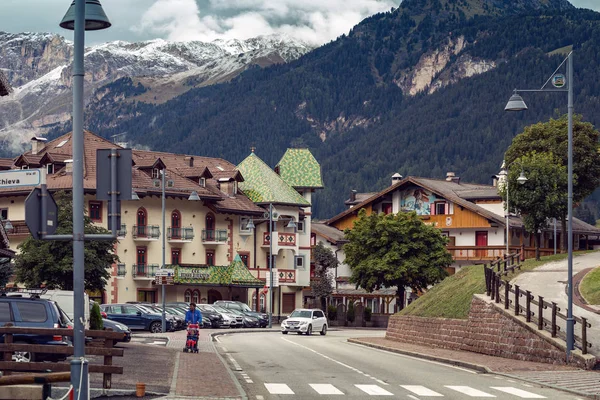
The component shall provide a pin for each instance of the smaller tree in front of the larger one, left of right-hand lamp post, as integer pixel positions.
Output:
(542, 196)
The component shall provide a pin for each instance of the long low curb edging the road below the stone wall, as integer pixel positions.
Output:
(473, 366)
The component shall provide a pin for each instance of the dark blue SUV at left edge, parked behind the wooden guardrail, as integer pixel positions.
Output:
(33, 312)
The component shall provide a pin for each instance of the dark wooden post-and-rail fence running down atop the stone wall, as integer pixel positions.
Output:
(501, 291)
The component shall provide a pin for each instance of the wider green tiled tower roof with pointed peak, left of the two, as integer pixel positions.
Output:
(262, 185)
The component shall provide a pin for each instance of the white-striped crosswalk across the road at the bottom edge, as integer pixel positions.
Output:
(418, 390)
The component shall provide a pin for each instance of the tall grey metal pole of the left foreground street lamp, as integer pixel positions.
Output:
(79, 365)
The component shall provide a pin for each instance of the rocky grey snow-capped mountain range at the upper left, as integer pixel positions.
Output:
(37, 66)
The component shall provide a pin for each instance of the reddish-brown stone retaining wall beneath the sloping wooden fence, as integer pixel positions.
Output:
(489, 330)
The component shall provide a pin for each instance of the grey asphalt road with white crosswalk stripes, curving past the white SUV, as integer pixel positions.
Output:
(275, 366)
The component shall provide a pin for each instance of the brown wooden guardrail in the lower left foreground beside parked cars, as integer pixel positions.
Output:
(7, 366)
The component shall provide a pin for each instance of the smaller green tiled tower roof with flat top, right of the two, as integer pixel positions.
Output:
(299, 169)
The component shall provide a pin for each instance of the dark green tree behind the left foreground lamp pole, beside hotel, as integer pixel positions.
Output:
(51, 262)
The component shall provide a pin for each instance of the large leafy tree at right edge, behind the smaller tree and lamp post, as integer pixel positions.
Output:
(552, 137)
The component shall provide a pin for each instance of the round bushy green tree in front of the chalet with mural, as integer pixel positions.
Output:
(395, 250)
